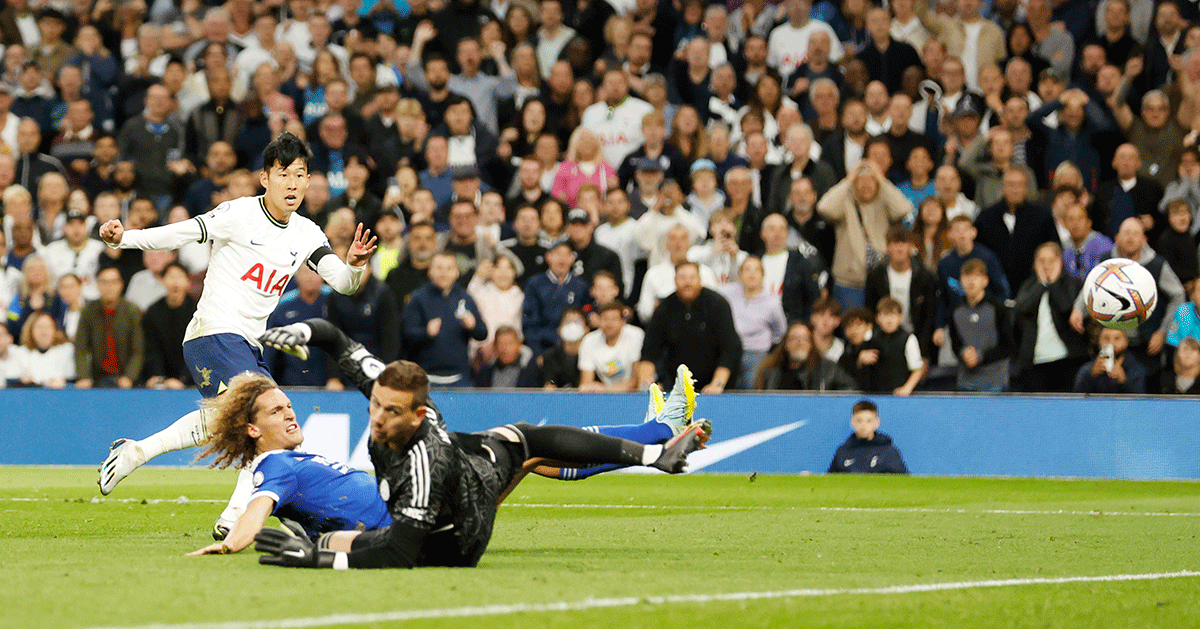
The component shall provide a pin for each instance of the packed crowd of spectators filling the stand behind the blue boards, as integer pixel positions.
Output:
(801, 196)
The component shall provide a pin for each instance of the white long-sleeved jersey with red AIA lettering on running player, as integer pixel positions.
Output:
(254, 259)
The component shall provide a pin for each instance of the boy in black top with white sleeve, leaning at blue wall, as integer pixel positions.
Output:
(893, 352)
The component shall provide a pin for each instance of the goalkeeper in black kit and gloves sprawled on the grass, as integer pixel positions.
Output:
(443, 489)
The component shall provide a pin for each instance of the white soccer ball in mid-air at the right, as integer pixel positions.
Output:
(1121, 293)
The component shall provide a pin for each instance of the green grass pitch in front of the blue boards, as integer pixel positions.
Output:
(69, 560)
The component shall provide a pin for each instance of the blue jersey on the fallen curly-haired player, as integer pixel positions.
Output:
(319, 494)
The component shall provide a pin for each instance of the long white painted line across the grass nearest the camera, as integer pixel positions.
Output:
(629, 602)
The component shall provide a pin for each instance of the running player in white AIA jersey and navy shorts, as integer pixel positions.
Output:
(259, 245)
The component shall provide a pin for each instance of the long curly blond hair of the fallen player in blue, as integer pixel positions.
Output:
(230, 415)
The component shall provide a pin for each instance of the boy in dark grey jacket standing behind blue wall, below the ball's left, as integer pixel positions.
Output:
(981, 333)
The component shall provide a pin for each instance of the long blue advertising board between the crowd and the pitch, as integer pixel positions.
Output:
(1007, 436)
